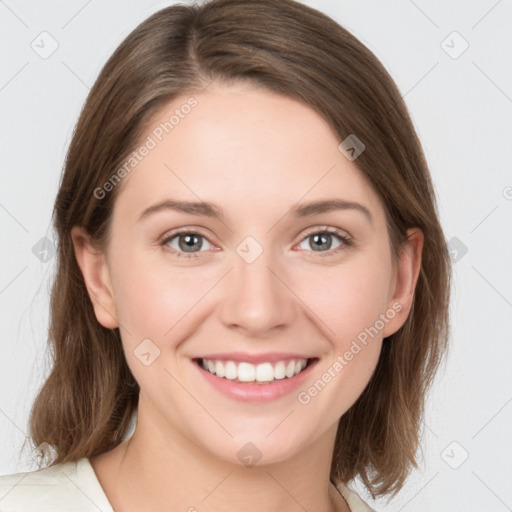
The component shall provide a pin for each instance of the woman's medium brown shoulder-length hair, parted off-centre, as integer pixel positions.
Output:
(85, 405)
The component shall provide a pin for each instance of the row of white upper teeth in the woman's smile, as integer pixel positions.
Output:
(247, 372)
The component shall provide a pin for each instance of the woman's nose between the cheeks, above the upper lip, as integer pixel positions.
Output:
(257, 299)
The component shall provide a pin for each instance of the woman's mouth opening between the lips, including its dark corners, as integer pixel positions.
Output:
(262, 373)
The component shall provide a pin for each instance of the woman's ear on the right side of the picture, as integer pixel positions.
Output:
(405, 279)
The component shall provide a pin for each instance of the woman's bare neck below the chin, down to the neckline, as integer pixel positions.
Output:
(159, 469)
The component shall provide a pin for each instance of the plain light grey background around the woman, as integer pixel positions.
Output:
(462, 108)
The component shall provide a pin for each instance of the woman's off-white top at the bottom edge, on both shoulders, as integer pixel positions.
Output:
(74, 487)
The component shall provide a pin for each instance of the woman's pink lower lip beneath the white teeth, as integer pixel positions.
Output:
(252, 391)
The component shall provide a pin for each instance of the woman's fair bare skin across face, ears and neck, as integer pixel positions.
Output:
(255, 154)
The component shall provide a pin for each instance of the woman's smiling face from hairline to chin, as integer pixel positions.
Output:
(266, 280)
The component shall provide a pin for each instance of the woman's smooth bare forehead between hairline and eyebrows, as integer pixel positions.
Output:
(246, 148)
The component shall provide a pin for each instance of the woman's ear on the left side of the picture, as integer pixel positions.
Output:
(96, 275)
